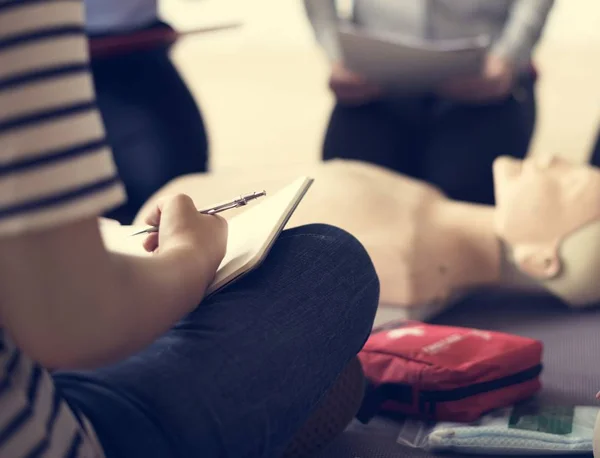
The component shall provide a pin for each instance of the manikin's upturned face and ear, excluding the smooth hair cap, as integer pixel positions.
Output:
(539, 203)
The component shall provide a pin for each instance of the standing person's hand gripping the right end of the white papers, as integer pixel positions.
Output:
(494, 83)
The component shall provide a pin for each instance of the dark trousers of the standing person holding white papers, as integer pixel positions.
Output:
(449, 145)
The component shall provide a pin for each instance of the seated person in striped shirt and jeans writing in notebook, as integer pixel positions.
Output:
(103, 354)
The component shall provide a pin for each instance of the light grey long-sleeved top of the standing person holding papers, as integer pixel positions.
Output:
(515, 26)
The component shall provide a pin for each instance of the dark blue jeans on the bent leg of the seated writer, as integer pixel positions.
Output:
(239, 376)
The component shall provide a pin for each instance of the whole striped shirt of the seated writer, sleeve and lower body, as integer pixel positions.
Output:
(55, 167)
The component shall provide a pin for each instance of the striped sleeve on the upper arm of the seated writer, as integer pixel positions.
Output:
(55, 164)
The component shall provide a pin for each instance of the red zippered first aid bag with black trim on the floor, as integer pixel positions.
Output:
(446, 373)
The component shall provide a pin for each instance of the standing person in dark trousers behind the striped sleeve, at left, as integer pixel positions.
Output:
(134, 78)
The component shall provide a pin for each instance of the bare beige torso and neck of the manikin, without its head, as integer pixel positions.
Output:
(408, 227)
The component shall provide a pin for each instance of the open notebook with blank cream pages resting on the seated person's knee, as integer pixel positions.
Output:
(250, 237)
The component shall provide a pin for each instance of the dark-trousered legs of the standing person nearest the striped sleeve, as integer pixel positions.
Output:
(152, 122)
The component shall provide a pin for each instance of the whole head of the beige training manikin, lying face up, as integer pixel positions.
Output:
(548, 214)
